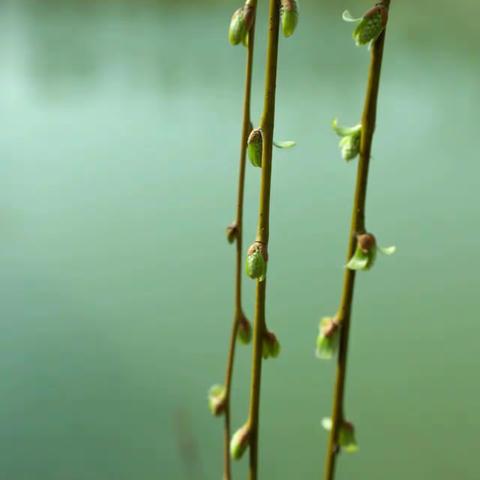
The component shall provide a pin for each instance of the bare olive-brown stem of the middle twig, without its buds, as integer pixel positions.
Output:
(267, 126)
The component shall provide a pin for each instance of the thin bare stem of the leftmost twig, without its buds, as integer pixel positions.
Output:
(238, 311)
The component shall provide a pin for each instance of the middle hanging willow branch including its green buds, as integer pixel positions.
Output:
(260, 146)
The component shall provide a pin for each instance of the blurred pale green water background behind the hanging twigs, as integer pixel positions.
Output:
(120, 126)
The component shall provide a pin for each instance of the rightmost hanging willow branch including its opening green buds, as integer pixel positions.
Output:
(362, 246)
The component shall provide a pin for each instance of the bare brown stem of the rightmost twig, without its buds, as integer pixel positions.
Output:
(357, 226)
